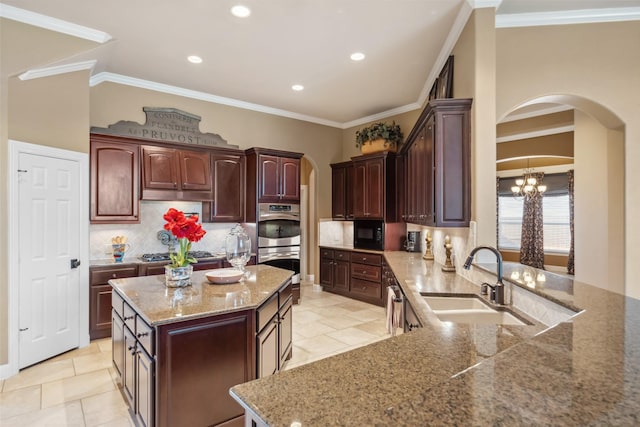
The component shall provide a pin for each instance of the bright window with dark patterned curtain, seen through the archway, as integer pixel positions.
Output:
(555, 213)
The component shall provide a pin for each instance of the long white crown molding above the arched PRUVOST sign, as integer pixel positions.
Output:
(202, 96)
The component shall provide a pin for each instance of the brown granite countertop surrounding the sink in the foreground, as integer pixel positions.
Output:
(585, 371)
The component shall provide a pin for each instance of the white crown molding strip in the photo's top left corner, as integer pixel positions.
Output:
(53, 24)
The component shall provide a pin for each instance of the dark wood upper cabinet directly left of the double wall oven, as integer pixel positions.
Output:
(228, 176)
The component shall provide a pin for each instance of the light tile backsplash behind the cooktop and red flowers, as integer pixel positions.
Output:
(143, 237)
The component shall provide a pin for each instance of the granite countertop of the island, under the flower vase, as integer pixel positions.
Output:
(158, 304)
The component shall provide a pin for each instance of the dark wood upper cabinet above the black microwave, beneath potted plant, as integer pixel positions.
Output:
(374, 186)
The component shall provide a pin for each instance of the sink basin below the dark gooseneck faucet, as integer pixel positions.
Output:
(470, 310)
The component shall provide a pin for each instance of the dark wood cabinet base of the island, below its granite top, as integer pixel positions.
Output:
(180, 373)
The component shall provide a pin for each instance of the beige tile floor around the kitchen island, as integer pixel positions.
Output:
(79, 388)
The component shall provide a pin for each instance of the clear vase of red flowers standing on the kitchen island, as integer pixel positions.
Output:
(187, 230)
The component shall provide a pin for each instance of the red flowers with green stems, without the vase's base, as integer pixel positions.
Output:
(187, 230)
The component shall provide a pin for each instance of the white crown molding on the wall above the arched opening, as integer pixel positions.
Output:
(563, 17)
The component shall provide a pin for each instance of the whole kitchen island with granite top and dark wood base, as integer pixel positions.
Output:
(178, 350)
